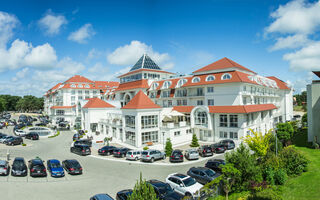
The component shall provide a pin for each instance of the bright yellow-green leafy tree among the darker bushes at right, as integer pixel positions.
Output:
(258, 143)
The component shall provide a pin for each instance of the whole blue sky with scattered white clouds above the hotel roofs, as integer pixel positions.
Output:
(46, 42)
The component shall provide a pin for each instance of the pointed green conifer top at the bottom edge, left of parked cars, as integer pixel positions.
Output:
(143, 191)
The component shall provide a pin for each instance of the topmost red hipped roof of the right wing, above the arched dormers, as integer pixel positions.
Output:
(222, 64)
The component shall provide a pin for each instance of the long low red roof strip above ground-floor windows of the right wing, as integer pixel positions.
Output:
(241, 108)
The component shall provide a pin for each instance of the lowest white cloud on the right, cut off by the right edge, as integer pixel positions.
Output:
(307, 58)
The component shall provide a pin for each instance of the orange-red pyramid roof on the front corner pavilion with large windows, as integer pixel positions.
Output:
(140, 101)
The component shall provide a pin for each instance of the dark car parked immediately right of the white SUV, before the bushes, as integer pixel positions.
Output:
(202, 175)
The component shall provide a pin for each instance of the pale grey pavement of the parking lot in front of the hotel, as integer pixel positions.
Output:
(99, 175)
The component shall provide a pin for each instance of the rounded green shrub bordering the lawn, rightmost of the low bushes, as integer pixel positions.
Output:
(293, 161)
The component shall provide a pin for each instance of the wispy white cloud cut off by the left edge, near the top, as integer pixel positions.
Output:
(7, 23)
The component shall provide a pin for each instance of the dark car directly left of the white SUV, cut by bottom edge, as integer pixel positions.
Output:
(164, 191)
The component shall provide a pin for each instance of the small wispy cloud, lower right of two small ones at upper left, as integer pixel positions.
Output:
(82, 34)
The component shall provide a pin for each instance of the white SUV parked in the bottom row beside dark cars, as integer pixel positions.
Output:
(184, 184)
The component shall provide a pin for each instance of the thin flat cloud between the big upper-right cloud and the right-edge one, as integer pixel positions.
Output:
(290, 42)
